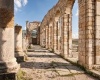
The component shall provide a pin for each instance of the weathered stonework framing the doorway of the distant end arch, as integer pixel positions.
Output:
(30, 26)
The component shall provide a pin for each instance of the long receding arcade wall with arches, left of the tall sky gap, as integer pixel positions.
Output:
(53, 19)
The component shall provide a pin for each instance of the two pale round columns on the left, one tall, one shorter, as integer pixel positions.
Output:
(8, 48)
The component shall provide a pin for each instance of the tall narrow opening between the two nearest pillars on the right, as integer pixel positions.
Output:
(75, 29)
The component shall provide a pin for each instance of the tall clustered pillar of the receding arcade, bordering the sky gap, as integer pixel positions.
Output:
(67, 36)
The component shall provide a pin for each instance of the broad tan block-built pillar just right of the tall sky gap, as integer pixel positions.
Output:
(86, 33)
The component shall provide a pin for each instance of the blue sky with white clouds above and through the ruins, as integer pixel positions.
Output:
(35, 10)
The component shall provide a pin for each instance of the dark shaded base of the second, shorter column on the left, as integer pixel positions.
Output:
(20, 56)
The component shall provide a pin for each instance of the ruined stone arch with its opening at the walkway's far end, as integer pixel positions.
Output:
(32, 30)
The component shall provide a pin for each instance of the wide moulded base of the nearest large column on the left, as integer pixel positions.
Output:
(9, 66)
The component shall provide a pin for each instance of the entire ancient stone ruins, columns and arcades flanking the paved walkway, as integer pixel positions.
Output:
(54, 33)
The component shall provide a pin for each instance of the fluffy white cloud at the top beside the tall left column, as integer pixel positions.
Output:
(19, 3)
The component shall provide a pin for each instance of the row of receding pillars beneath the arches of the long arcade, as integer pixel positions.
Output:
(58, 35)
